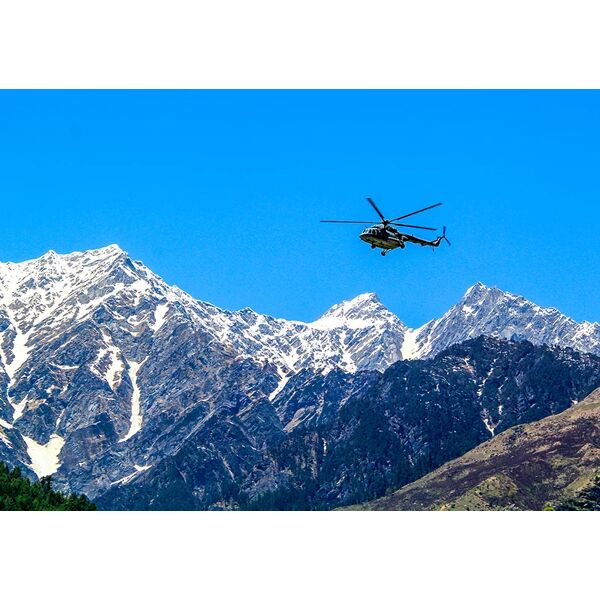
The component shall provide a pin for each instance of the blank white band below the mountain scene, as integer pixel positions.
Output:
(299, 555)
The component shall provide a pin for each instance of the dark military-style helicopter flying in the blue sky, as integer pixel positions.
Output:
(383, 234)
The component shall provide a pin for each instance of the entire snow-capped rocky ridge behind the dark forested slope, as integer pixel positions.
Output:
(102, 362)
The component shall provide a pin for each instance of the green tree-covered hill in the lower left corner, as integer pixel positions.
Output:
(18, 493)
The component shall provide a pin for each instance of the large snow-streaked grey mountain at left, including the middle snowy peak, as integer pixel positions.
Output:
(97, 352)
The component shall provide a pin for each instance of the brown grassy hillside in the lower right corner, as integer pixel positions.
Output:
(555, 460)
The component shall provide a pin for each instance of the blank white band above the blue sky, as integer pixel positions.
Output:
(289, 44)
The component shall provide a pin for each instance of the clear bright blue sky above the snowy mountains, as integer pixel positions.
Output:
(221, 193)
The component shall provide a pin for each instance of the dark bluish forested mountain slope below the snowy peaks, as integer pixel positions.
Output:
(329, 440)
